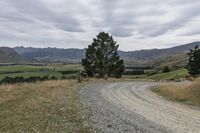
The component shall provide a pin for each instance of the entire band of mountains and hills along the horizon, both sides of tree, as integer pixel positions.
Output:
(175, 56)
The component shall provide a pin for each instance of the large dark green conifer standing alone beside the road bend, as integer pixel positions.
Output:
(102, 58)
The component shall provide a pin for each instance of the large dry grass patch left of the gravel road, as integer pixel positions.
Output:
(51, 106)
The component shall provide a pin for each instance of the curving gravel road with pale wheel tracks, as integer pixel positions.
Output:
(132, 107)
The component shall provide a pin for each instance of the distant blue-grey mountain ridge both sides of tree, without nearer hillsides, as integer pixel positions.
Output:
(130, 57)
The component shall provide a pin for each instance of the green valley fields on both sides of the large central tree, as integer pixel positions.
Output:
(71, 70)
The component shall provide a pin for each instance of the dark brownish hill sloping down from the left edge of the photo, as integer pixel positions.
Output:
(8, 55)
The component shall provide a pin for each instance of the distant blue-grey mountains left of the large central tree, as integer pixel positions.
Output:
(51, 54)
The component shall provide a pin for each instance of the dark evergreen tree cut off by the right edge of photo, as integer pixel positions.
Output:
(193, 65)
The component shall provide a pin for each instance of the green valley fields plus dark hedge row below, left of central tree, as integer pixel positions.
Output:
(27, 73)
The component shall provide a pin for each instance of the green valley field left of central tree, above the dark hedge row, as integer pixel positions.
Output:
(57, 70)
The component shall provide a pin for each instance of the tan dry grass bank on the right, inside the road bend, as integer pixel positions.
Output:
(188, 93)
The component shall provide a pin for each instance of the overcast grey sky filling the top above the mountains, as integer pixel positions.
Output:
(134, 24)
